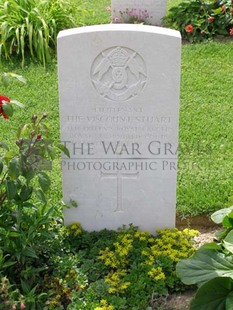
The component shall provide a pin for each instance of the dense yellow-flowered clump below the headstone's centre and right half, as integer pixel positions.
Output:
(140, 262)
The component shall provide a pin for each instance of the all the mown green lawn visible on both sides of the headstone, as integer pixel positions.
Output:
(205, 177)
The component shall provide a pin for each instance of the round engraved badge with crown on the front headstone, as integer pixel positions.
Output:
(118, 73)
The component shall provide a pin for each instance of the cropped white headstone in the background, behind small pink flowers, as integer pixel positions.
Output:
(149, 11)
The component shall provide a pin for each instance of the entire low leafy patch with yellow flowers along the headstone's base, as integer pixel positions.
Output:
(129, 269)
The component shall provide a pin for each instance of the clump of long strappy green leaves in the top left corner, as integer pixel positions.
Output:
(32, 26)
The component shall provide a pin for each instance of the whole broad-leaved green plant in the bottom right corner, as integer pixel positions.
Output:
(211, 267)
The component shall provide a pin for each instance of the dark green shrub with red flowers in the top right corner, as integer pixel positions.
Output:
(199, 20)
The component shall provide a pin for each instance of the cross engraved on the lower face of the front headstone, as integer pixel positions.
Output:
(120, 176)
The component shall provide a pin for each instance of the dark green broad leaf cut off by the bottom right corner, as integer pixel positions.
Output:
(213, 295)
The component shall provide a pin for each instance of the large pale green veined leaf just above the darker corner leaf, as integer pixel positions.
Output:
(203, 266)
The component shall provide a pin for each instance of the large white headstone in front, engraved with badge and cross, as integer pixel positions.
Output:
(119, 98)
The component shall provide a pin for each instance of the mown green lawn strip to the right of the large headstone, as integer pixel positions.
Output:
(206, 119)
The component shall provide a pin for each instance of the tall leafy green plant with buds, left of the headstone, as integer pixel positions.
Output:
(29, 232)
